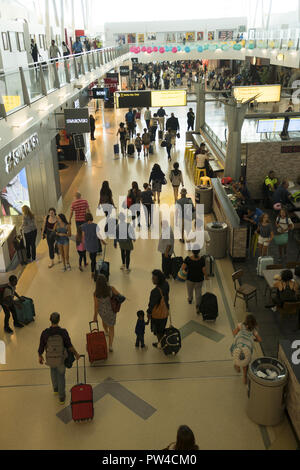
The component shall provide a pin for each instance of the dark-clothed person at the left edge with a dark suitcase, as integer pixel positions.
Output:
(7, 295)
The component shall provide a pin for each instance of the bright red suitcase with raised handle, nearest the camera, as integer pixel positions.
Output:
(82, 399)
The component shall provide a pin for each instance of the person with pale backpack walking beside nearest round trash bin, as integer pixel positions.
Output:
(242, 348)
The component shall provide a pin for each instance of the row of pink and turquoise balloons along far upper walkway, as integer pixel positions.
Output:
(206, 47)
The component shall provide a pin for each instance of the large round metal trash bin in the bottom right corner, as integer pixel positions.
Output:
(267, 388)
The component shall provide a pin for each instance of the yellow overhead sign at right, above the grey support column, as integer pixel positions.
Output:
(266, 93)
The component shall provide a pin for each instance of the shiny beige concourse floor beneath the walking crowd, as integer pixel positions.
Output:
(199, 387)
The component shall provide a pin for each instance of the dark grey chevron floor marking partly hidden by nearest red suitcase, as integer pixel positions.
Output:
(120, 393)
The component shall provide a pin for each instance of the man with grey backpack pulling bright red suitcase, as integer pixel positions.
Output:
(57, 344)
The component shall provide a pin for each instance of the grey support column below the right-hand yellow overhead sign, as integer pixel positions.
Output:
(235, 115)
